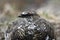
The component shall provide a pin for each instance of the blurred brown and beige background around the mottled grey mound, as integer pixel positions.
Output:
(47, 9)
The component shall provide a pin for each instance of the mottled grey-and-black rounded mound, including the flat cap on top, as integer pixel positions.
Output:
(31, 26)
